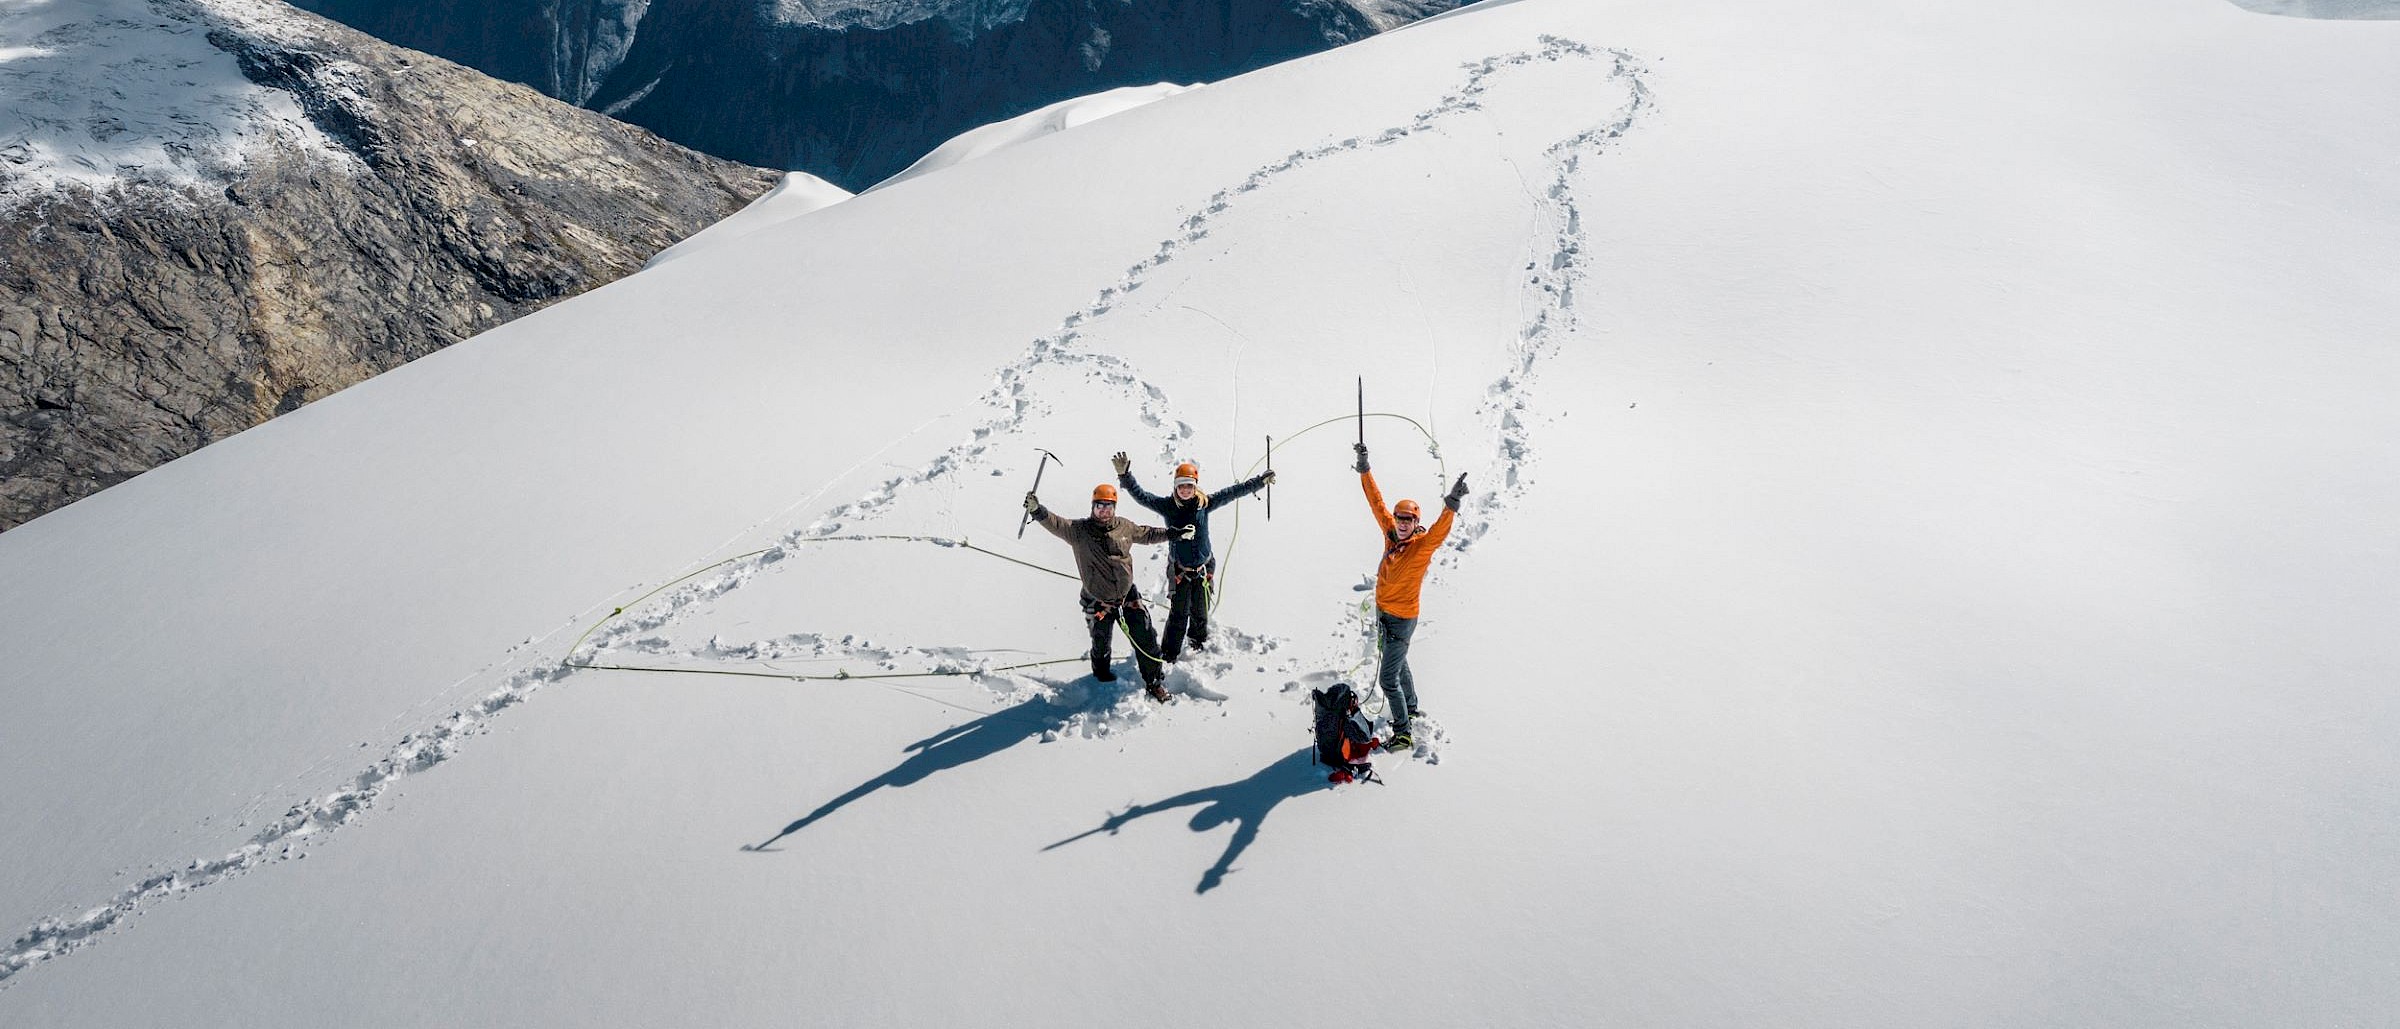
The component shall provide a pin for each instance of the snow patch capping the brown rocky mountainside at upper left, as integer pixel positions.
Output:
(116, 92)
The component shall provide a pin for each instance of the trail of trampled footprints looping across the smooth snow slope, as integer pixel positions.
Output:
(1016, 399)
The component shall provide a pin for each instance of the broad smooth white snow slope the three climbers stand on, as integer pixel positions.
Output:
(1931, 562)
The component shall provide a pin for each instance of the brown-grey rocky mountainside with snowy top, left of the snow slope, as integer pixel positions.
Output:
(313, 207)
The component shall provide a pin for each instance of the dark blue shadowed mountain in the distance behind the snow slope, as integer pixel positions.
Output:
(856, 90)
